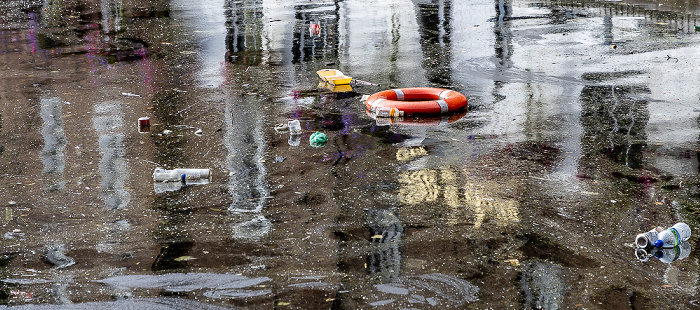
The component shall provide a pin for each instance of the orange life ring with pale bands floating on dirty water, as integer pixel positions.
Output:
(418, 100)
